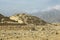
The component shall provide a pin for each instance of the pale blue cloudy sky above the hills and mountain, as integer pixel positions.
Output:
(9, 7)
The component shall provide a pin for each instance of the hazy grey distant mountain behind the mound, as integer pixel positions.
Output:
(52, 15)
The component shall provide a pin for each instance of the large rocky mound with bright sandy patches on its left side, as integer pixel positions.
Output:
(27, 19)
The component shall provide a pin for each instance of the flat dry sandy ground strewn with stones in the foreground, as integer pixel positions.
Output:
(30, 32)
